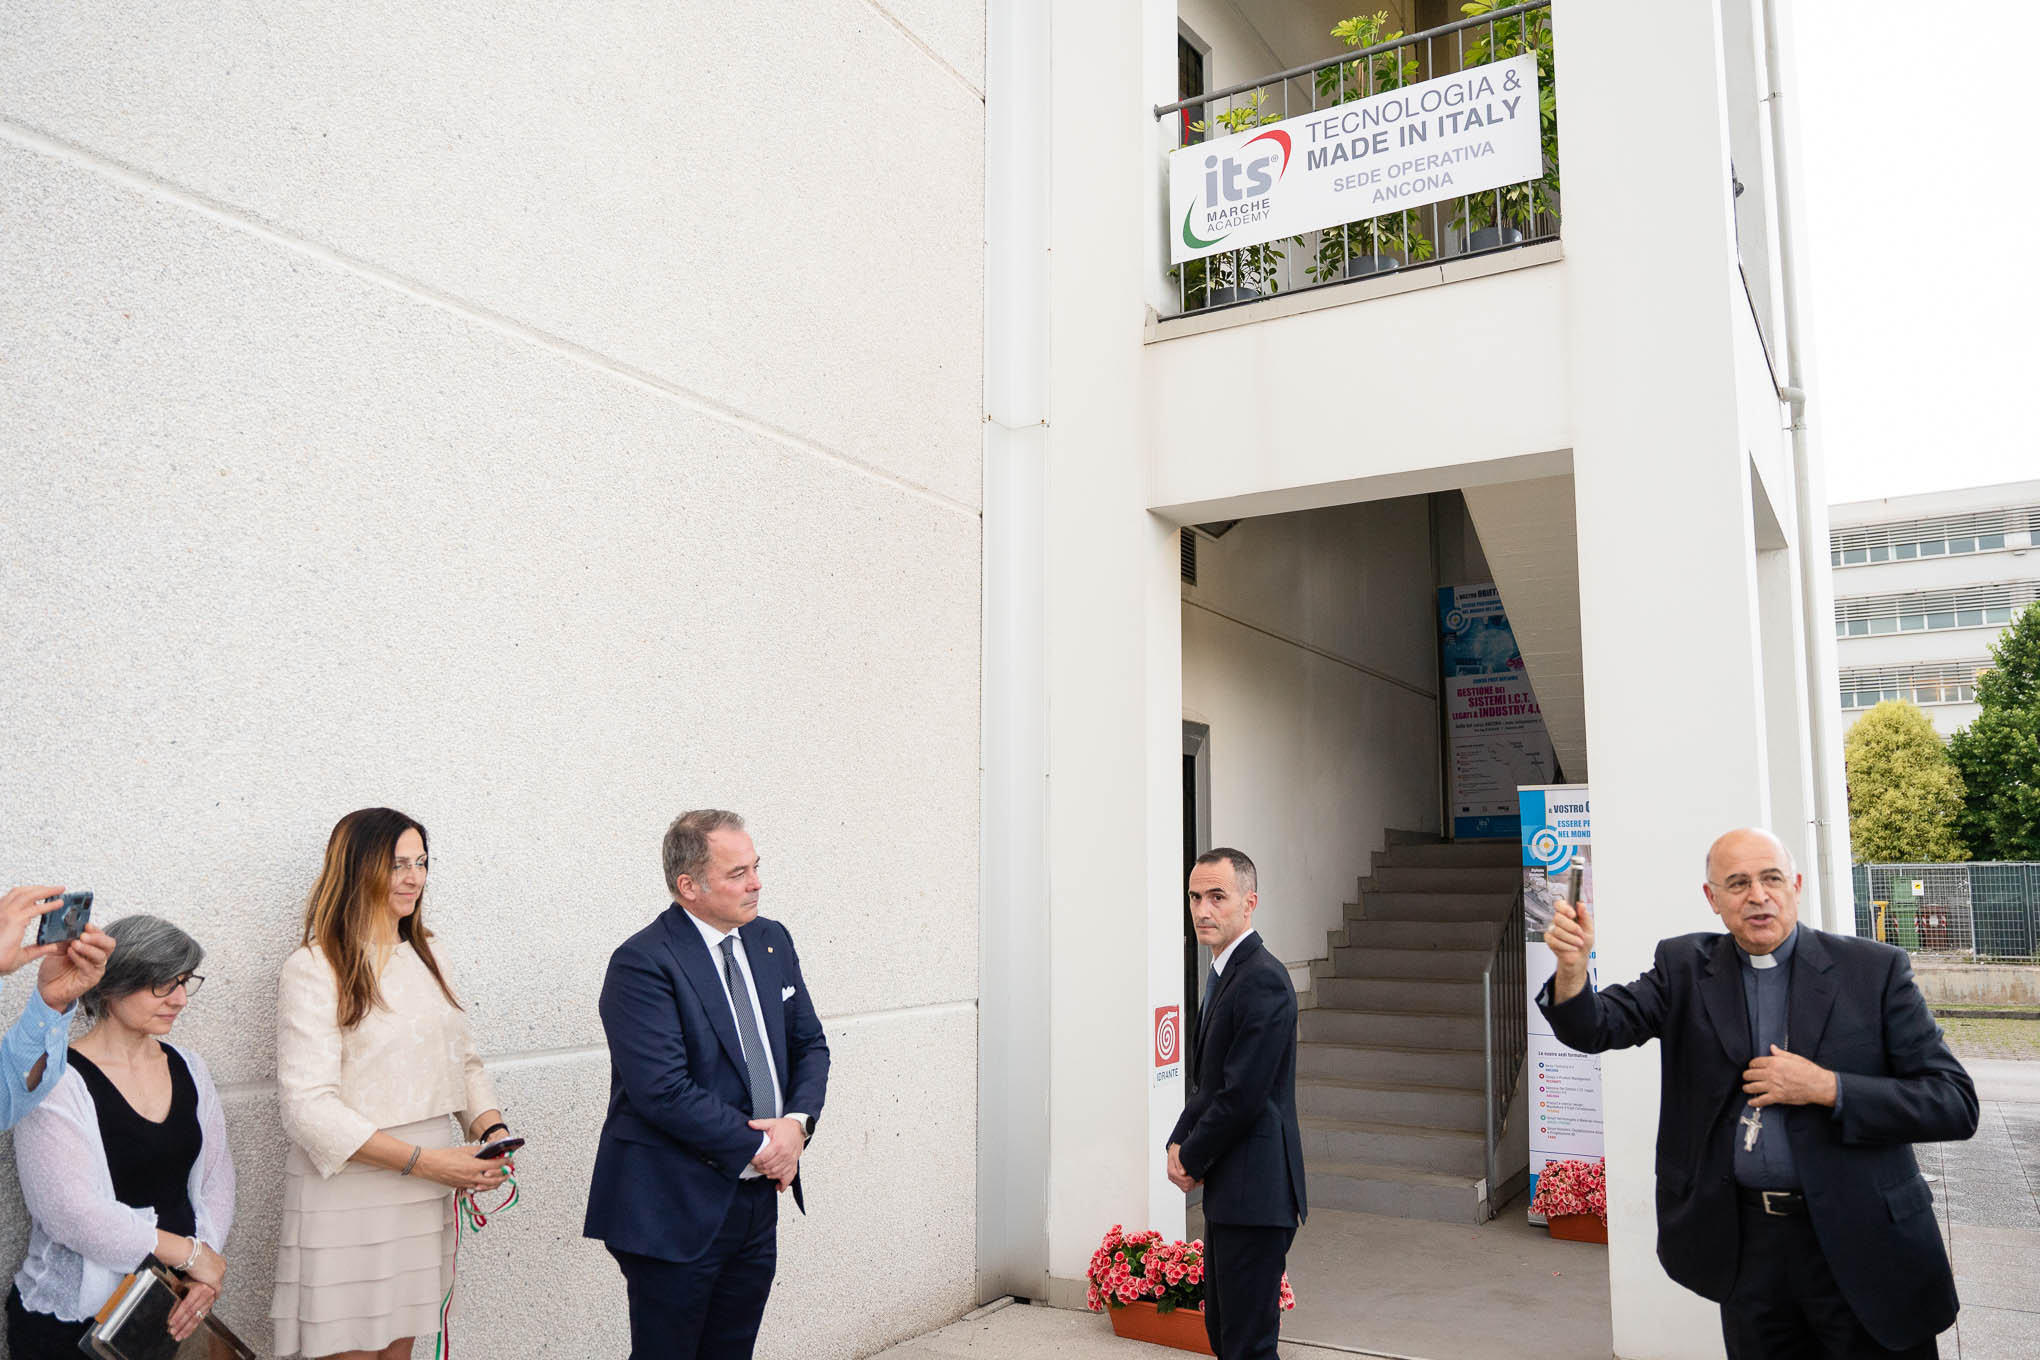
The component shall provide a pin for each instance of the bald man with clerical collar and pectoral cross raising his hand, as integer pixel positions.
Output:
(1798, 1071)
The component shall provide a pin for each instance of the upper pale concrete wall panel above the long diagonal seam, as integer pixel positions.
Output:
(790, 227)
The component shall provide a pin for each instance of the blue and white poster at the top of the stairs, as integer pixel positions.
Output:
(1496, 731)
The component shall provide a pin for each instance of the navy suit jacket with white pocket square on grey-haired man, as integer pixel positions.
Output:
(678, 1133)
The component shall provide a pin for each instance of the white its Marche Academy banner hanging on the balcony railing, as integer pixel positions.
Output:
(1462, 134)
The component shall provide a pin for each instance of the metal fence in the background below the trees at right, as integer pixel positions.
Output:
(1982, 912)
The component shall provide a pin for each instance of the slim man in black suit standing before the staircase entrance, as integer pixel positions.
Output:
(1237, 1135)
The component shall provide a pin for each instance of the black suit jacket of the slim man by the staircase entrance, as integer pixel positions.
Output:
(1239, 1127)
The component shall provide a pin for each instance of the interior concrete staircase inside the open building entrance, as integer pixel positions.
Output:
(1390, 1059)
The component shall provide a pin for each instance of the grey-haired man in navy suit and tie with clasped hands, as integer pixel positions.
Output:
(717, 1080)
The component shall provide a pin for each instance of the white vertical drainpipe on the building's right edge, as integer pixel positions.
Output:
(1815, 607)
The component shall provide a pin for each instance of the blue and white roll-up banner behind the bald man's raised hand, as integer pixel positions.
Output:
(1566, 1088)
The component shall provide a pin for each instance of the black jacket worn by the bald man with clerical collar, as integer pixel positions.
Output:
(1857, 1012)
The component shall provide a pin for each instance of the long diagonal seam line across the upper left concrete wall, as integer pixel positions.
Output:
(236, 219)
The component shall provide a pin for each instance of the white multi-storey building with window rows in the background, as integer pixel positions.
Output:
(1923, 588)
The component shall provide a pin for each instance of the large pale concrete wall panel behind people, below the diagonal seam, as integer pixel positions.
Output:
(289, 541)
